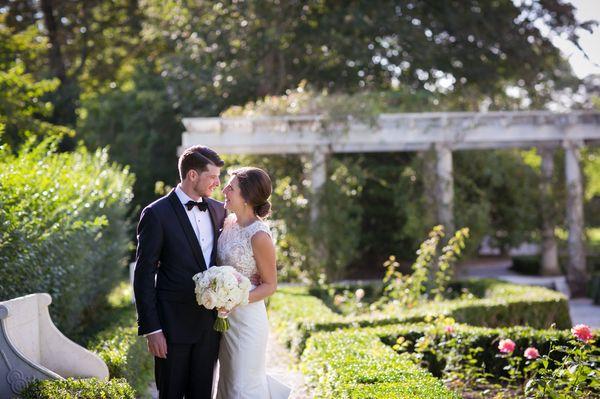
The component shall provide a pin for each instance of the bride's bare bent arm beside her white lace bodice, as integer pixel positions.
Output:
(264, 254)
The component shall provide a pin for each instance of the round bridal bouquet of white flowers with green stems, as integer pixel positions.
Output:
(223, 288)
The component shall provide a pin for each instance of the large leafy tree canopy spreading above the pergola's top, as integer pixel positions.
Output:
(215, 54)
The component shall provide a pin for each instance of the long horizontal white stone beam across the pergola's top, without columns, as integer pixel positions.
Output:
(391, 132)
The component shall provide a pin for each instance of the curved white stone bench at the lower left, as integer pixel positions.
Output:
(31, 347)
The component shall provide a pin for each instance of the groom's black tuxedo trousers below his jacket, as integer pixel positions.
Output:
(188, 369)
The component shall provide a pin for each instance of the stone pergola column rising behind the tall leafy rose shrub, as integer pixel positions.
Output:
(445, 187)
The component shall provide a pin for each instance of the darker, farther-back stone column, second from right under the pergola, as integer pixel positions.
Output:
(549, 247)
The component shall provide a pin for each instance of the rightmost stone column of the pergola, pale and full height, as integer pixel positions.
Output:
(576, 269)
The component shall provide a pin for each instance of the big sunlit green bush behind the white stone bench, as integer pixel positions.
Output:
(64, 228)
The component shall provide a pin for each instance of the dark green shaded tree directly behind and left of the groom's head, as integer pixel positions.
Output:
(139, 123)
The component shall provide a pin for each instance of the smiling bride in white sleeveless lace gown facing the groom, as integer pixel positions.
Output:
(247, 245)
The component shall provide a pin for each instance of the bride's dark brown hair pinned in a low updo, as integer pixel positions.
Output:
(255, 186)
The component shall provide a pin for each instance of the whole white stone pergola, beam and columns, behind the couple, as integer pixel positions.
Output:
(318, 137)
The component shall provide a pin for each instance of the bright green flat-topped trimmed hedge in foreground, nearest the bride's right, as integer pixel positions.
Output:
(355, 364)
